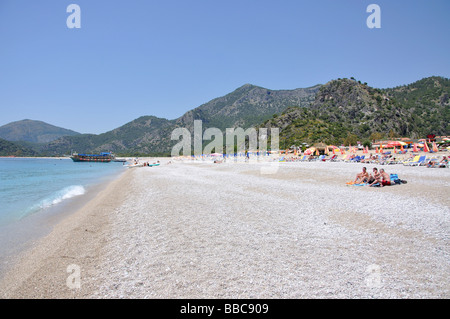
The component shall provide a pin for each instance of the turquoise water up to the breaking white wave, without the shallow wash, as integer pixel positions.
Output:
(32, 185)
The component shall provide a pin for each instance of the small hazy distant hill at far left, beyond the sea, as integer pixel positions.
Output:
(33, 131)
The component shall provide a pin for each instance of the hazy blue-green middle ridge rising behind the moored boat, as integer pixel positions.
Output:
(246, 106)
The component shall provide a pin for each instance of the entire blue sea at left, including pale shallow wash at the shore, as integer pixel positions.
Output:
(35, 193)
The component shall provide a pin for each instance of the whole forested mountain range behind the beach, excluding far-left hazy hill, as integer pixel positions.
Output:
(341, 111)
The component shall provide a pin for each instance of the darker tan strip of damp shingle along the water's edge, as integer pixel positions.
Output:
(37, 268)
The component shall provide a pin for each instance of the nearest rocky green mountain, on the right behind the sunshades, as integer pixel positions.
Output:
(346, 111)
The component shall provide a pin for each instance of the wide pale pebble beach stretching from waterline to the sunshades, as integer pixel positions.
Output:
(204, 230)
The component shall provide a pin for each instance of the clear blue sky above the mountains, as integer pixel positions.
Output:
(165, 57)
